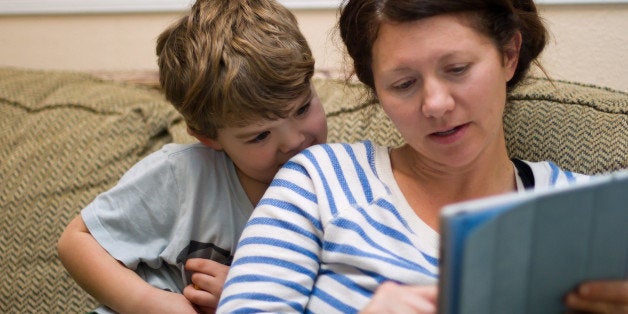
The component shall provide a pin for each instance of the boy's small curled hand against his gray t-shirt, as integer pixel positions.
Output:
(207, 282)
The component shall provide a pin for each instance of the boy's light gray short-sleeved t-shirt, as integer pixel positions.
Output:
(179, 202)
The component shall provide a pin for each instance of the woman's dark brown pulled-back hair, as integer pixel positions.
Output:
(360, 21)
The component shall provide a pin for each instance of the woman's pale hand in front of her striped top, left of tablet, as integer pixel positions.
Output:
(391, 297)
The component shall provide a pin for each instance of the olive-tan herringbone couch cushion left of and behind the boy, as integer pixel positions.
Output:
(65, 137)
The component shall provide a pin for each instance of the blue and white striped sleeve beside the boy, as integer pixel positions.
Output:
(278, 257)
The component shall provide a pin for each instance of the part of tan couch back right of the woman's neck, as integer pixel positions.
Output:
(582, 128)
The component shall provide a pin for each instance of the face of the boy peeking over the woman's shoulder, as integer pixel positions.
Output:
(259, 149)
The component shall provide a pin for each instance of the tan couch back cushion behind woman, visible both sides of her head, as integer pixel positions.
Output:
(582, 128)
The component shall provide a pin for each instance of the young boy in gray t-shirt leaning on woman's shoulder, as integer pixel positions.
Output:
(239, 73)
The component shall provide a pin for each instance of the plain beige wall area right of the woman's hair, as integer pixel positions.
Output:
(589, 44)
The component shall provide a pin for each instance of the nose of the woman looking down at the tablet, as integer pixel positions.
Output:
(437, 99)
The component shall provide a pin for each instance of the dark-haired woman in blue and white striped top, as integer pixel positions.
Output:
(341, 219)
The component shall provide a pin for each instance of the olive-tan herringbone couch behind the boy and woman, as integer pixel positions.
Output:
(66, 136)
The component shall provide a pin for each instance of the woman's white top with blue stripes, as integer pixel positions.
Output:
(331, 228)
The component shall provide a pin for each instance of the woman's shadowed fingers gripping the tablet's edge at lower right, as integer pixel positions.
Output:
(603, 296)
